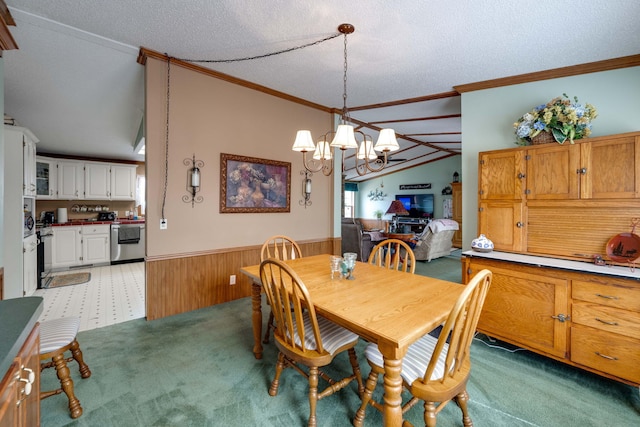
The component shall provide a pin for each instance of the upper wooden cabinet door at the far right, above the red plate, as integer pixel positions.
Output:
(611, 168)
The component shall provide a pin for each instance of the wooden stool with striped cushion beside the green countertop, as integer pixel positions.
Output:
(56, 337)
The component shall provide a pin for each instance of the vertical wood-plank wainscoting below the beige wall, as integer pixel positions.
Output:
(186, 282)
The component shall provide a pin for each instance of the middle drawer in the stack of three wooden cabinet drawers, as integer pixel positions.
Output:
(610, 319)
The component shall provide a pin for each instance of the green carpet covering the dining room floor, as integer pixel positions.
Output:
(197, 369)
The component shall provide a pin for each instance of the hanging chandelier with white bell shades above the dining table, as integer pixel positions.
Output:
(344, 138)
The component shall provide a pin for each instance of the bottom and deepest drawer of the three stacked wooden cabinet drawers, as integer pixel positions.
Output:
(607, 352)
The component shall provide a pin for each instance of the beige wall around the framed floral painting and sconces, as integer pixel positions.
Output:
(209, 116)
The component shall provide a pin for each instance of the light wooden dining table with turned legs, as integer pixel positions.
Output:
(387, 307)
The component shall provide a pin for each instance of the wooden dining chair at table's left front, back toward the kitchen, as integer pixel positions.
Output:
(304, 338)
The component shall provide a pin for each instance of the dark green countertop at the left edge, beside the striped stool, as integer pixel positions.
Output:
(18, 316)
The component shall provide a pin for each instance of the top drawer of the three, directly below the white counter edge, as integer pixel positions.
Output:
(610, 295)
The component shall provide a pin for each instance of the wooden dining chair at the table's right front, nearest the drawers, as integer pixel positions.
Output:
(436, 370)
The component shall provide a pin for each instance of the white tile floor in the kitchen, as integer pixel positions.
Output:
(114, 294)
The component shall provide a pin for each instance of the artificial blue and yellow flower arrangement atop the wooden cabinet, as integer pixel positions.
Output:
(562, 118)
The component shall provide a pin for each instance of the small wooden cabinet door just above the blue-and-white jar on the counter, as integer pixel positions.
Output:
(503, 223)
